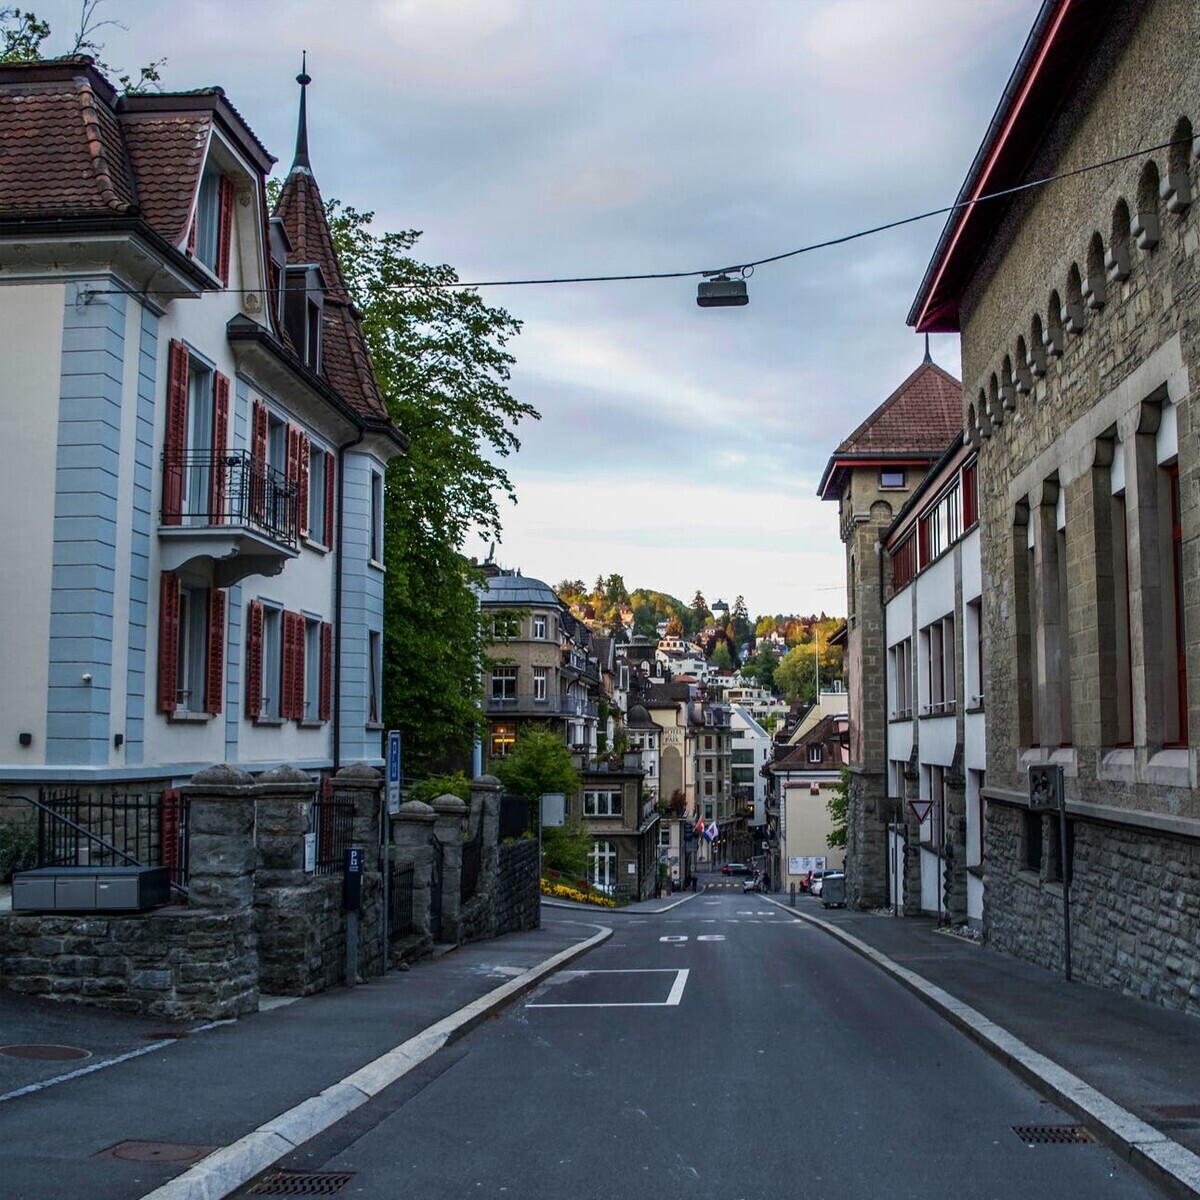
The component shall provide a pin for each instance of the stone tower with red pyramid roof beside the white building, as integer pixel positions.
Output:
(872, 476)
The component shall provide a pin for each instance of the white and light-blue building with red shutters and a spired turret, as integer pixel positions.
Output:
(195, 452)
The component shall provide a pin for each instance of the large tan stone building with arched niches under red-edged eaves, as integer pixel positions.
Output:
(1077, 303)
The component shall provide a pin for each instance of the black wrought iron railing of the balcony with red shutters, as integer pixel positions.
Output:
(219, 488)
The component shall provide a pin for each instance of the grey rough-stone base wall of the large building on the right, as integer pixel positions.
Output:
(1135, 903)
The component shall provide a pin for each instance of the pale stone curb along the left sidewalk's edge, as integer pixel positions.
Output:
(235, 1166)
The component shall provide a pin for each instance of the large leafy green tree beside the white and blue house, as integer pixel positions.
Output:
(441, 359)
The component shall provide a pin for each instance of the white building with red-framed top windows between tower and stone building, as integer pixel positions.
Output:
(937, 736)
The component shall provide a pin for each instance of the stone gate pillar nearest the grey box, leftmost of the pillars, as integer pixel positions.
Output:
(220, 838)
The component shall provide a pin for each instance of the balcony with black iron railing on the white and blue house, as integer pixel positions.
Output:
(226, 517)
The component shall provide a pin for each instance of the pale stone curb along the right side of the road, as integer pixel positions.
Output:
(1171, 1167)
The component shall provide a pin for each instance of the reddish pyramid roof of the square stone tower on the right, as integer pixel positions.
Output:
(915, 424)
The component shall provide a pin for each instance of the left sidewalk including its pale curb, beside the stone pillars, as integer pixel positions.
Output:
(166, 1096)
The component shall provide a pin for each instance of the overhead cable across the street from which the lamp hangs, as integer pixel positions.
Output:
(742, 268)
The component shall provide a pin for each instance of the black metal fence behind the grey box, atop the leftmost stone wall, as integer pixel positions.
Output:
(77, 829)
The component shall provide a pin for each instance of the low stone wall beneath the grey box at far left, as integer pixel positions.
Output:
(175, 963)
